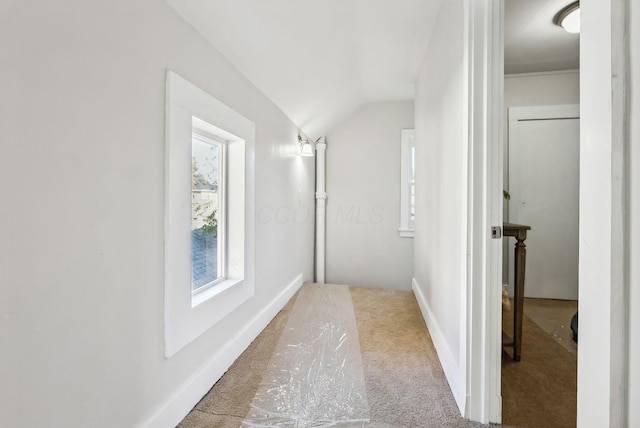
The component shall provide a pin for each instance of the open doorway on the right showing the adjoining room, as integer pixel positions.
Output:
(542, 157)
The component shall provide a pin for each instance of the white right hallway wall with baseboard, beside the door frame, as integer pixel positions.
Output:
(441, 210)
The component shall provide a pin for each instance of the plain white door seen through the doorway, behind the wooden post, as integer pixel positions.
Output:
(544, 144)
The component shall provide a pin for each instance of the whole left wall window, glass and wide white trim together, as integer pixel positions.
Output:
(209, 238)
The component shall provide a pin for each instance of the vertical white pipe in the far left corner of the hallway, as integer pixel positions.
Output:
(321, 208)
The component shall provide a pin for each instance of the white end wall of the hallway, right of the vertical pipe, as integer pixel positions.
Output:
(363, 205)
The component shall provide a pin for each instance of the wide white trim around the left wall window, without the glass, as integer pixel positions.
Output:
(186, 316)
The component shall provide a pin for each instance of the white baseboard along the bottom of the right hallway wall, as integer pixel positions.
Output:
(451, 369)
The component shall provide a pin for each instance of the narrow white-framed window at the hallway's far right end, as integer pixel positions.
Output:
(407, 182)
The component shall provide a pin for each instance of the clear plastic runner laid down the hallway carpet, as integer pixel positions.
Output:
(315, 377)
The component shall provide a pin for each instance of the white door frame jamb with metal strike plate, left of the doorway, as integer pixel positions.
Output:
(485, 51)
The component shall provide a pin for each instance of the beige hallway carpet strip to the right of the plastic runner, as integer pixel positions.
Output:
(406, 386)
